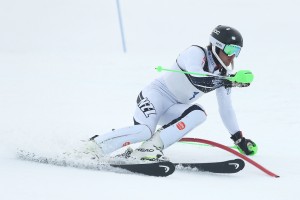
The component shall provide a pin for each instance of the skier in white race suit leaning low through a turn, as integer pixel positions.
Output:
(168, 101)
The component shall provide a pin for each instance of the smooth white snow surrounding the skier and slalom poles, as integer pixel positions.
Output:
(64, 77)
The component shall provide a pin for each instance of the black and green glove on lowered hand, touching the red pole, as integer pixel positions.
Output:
(244, 145)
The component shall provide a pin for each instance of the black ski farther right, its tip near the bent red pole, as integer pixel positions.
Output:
(227, 167)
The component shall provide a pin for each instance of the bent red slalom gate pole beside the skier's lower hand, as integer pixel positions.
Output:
(198, 140)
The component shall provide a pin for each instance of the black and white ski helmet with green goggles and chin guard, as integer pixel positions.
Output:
(227, 39)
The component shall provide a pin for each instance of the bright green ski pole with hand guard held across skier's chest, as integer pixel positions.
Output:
(242, 76)
